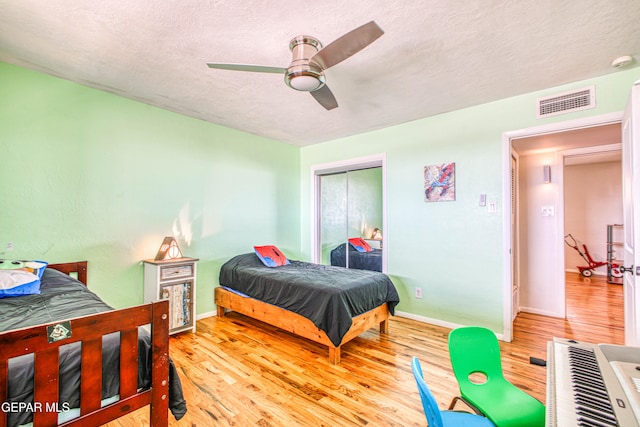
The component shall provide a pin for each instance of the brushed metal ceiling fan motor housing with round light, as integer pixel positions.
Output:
(303, 74)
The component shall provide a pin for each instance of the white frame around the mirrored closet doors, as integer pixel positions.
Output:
(372, 161)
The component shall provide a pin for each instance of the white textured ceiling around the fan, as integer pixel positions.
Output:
(435, 56)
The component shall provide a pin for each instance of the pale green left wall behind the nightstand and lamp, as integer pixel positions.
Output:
(89, 175)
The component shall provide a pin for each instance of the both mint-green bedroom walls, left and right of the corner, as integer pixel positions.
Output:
(90, 175)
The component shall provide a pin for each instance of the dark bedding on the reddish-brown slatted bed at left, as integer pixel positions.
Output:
(63, 297)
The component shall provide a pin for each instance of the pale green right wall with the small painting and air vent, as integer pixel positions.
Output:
(453, 250)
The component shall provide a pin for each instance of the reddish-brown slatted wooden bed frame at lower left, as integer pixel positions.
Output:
(89, 330)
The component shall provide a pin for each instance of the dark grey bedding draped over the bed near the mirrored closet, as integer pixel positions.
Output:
(329, 296)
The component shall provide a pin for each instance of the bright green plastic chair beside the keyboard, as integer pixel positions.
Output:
(475, 352)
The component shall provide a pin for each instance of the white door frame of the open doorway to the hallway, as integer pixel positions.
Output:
(587, 122)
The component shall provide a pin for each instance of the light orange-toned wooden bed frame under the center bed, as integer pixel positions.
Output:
(297, 324)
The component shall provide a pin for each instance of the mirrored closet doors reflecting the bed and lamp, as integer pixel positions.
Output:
(351, 219)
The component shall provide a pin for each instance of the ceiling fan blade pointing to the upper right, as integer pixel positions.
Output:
(347, 45)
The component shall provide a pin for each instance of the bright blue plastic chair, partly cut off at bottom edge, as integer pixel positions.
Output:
(436, 417)
